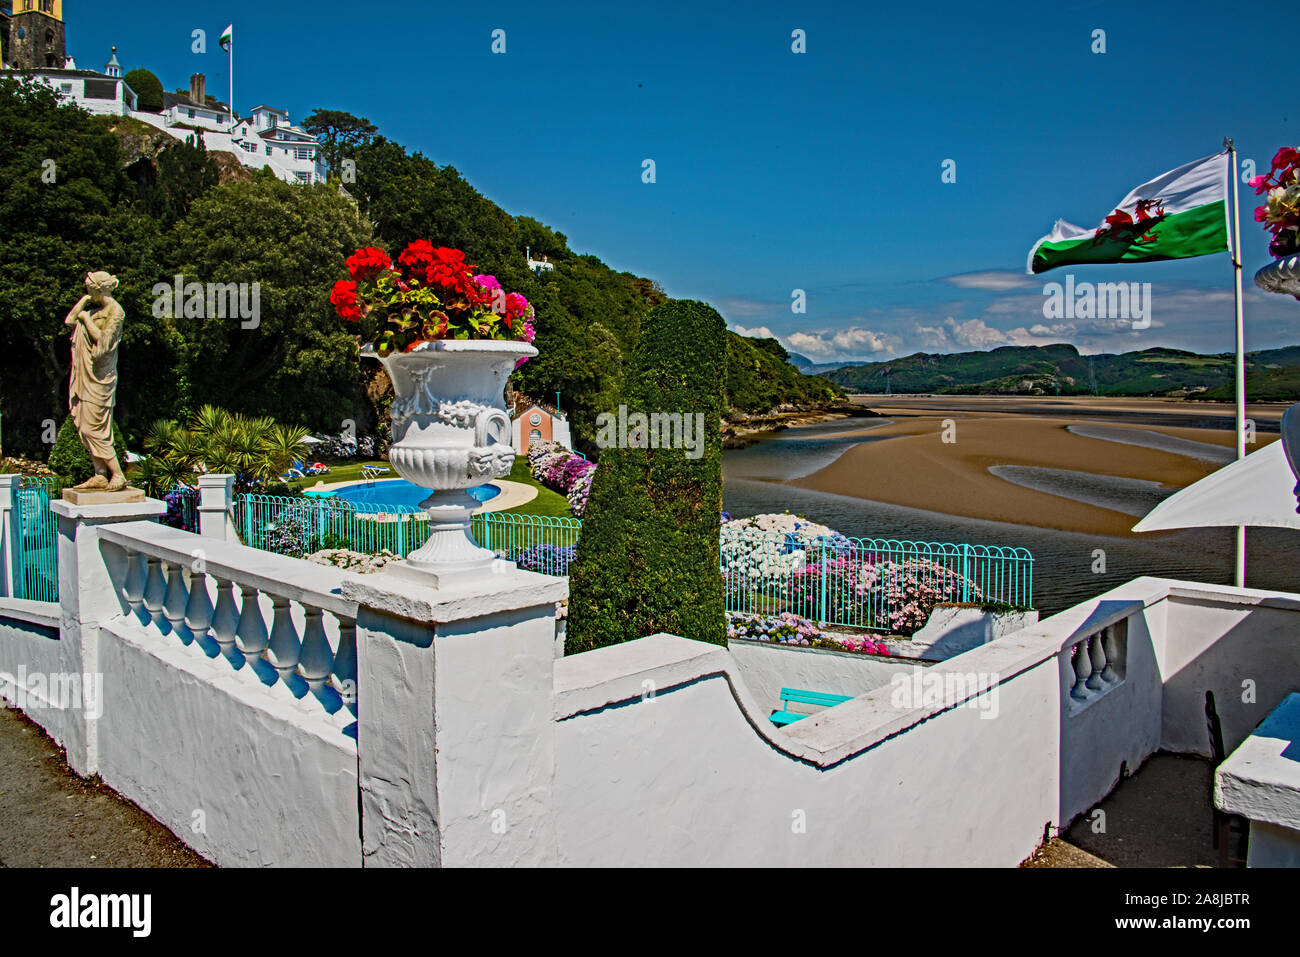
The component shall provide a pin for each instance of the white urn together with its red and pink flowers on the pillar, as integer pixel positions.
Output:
(449, 339)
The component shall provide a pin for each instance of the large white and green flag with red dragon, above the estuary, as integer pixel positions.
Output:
(1177, 215)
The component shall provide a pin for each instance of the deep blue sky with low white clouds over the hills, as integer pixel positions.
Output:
(778, 171)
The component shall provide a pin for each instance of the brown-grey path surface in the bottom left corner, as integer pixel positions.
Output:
(53, 819)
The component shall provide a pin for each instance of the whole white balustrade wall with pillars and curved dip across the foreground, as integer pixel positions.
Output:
(274, 712)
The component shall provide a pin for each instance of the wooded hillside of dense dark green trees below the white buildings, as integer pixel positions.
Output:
(148, 214)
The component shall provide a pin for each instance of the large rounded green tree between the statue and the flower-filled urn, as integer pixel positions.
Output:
(296, 360)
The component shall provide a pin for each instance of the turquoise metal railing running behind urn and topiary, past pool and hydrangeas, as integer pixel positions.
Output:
(878, 584)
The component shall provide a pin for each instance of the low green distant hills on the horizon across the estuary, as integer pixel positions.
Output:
(1060, 370)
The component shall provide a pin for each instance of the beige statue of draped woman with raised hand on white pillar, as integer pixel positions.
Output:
(97, 322)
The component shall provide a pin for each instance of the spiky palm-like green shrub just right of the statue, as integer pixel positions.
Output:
(257, 451)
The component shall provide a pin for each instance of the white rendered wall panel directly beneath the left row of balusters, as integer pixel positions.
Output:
(244, 774)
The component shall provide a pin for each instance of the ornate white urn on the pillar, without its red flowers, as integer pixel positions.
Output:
(452, 434)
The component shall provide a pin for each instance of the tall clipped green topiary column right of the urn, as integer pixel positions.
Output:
(648, 557)
